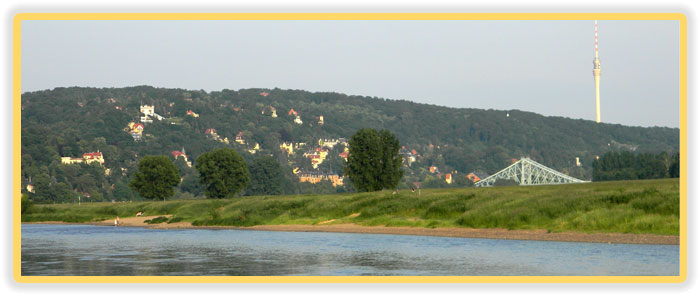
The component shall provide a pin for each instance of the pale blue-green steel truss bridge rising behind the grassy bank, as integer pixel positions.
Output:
(528, 172)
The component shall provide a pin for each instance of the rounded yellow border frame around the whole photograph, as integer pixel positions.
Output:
(16, 146)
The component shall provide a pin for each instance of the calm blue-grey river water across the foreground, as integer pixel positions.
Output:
(83, 250)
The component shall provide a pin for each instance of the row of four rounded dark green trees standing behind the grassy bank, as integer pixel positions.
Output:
(374, 164)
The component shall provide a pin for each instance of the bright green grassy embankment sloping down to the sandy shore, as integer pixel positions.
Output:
(639, 207)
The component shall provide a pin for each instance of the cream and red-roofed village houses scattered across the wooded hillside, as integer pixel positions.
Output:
(304, 159)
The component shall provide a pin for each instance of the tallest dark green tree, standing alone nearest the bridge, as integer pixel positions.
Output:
(373, 162)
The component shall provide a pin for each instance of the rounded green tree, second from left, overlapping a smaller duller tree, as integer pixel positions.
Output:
(222, 172)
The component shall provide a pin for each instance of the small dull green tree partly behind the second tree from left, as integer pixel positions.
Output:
(266, 177)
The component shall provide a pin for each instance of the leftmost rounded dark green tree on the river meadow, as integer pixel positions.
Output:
(155, 178)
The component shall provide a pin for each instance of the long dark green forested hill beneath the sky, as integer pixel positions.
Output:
(73, 121)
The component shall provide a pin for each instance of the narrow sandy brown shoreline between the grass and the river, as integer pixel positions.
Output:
(456, 232)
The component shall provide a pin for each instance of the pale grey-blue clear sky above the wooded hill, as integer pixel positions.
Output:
(539, 66)
